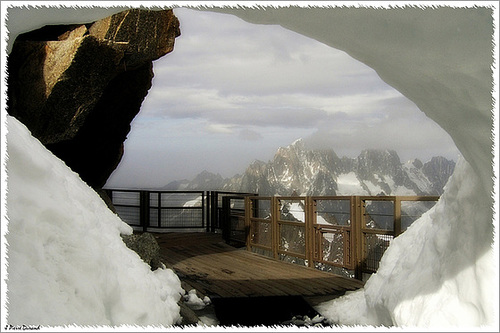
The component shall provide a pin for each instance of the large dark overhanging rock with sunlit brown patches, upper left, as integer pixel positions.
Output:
(78, 87)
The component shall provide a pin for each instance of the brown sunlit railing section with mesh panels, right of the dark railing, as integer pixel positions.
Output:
(347, 234)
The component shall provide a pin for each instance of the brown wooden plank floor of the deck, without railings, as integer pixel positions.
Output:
(204, 262)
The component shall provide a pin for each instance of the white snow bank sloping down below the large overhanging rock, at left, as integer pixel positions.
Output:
(66, 261)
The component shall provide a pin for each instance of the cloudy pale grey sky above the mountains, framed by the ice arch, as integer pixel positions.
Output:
(232, 92)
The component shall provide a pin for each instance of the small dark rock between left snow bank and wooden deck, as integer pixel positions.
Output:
(146, 246)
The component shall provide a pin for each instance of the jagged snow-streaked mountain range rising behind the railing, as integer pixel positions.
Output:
(296, 169)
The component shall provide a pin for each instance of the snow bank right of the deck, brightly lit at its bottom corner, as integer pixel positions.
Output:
(436, 274)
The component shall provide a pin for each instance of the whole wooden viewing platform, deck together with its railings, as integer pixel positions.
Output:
(264, 260)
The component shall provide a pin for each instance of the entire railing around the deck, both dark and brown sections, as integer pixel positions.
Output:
(342, 234)
